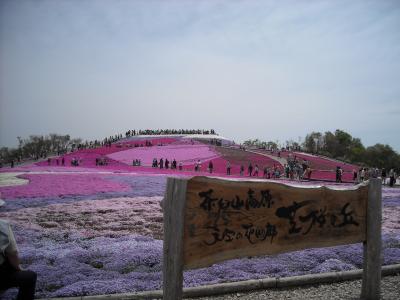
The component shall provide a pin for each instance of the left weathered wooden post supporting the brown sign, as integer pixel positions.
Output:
(174, 206)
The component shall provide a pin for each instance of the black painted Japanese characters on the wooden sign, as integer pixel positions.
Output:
(231, 219)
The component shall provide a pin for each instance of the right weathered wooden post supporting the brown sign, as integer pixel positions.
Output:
(371, 283)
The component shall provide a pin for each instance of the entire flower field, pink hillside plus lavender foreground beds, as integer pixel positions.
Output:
(92, 229)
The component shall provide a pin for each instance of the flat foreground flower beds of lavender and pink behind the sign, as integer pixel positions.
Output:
(88, 233)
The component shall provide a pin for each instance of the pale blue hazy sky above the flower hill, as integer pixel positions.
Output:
(250, 69)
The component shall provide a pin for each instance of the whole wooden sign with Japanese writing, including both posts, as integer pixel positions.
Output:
(208, 220)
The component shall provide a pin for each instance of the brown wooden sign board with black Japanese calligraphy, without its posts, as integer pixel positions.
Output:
(229, 219)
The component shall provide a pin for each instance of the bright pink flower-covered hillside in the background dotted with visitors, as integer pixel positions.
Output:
(120, 155)
